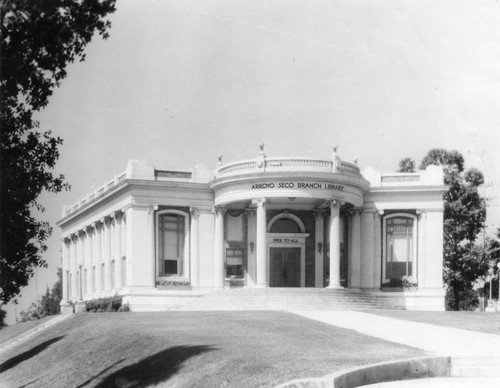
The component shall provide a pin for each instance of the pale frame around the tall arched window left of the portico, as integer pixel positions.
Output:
(186, 256)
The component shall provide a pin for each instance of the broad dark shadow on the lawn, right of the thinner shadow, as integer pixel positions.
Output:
(153, 369)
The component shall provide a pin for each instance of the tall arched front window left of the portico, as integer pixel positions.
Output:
(172, 242)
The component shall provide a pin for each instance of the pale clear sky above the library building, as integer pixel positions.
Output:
(180, 82)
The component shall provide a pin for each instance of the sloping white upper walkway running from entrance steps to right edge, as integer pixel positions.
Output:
(437, 340)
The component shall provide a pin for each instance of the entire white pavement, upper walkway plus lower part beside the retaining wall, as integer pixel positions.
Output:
(475, 356)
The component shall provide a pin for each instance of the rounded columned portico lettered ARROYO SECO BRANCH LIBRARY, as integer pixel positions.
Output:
(295, 190)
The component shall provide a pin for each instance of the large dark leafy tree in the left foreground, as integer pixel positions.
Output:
(39, 39)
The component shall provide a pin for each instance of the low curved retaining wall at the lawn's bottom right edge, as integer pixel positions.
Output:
(413, 368)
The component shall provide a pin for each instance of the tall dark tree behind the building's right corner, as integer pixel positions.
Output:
(464, 217)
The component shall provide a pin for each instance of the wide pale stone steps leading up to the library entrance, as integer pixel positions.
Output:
(286, 299)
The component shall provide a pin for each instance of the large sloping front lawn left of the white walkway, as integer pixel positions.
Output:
(189, 349)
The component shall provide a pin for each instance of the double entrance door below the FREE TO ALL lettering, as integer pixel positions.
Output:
(284, 267)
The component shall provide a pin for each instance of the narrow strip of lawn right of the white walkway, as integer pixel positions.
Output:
(469, 320)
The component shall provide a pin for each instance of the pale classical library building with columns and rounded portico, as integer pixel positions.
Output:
(166, 240)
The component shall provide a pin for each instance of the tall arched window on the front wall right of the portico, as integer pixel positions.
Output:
(399, 247)
